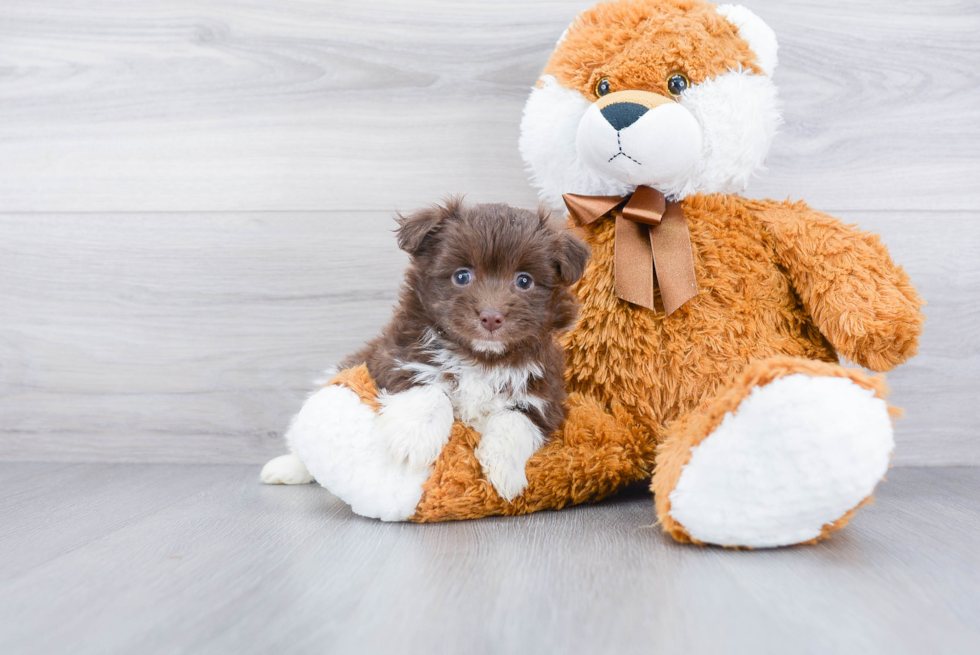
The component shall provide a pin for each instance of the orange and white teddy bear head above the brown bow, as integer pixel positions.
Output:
(671, 94)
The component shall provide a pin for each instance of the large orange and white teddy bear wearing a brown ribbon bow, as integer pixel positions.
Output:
(706, 359)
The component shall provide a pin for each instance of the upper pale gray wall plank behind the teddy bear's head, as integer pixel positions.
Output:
(190, 105)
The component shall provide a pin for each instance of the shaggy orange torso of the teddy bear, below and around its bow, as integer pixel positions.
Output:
(659, 367)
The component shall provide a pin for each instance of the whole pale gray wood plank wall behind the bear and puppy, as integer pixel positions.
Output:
(195, 196)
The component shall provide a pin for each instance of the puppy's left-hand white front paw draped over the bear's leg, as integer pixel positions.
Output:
(415, 425)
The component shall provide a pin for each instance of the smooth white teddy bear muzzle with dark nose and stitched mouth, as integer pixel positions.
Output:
(656, 147)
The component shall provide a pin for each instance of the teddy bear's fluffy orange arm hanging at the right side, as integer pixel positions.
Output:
(862, 302)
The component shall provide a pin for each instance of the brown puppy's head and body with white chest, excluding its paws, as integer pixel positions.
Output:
(437, 337)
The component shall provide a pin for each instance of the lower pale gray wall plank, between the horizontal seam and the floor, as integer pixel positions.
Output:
(194, 338)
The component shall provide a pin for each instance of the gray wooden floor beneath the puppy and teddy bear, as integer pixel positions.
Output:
(115, 558)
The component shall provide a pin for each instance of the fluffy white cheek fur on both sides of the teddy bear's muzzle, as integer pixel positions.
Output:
(738, 114)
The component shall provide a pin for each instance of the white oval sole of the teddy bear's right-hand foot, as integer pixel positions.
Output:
(796, 455)
